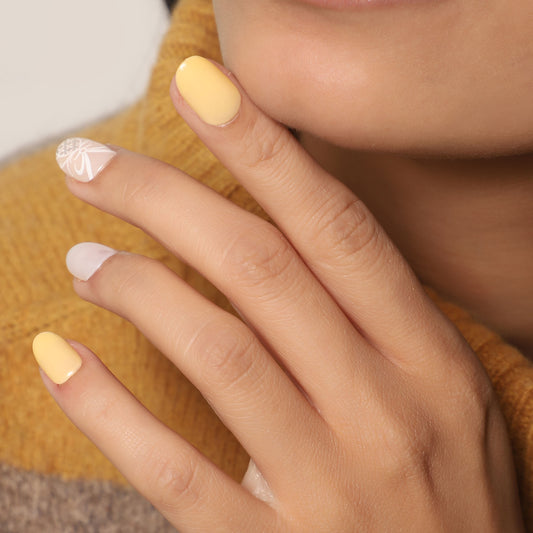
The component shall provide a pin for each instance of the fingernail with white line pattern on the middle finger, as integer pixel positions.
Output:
(83, 159)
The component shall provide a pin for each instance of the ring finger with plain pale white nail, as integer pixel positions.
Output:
(215, 350)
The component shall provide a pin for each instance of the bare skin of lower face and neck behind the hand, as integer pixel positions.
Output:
(446, 61)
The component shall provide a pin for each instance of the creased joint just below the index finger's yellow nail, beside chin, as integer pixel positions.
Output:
(261, 144)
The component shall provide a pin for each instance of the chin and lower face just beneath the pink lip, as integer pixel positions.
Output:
(445, 88)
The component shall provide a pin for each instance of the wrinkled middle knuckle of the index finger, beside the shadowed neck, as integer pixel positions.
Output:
(347, 226)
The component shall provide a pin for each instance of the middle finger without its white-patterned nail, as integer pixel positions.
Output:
(248, 259)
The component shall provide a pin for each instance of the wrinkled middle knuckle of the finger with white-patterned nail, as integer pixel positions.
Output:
(256, 258)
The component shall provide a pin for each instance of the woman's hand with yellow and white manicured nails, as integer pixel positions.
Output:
(361, 406)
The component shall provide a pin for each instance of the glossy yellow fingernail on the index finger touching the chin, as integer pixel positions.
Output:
(209, 92)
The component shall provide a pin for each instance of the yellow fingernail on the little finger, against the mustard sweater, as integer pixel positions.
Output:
(56, 357)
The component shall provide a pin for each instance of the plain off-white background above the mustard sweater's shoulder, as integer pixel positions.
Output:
(67, 63)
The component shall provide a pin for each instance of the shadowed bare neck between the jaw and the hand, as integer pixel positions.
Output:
(465, 226)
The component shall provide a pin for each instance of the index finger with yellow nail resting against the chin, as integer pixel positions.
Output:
(335, 233)
